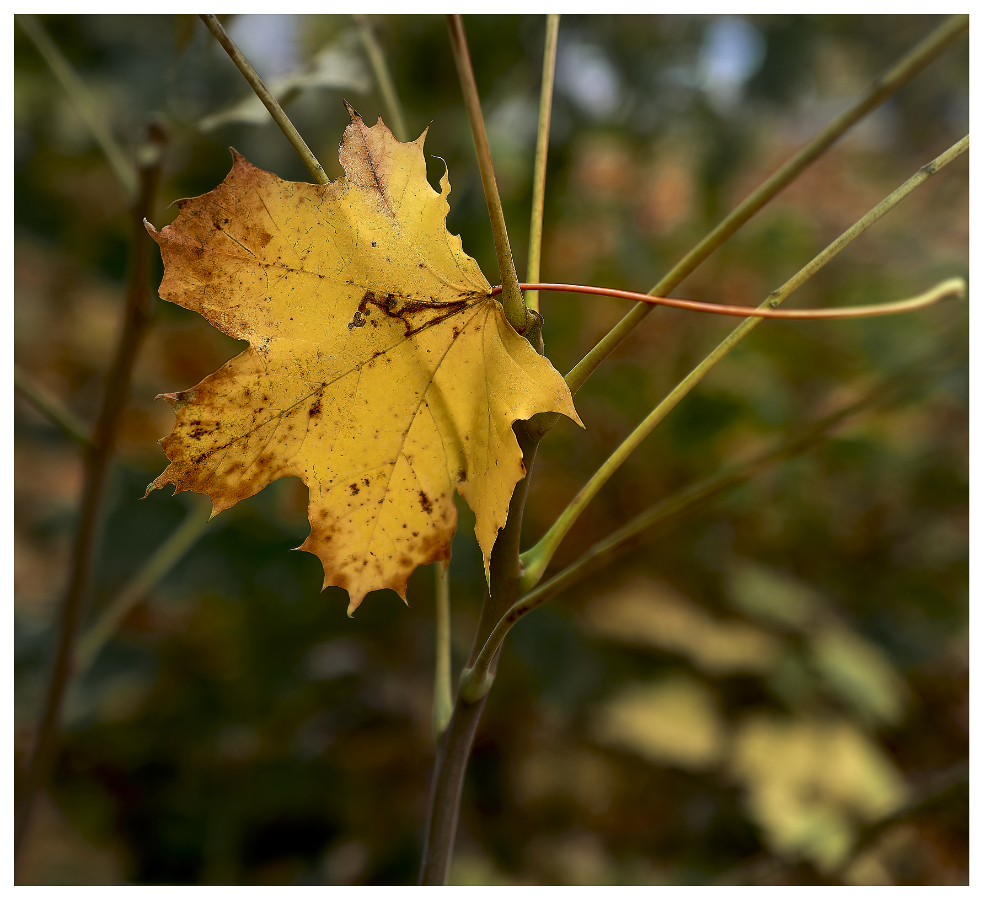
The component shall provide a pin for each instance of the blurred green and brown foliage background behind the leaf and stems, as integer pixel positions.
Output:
(750, 697)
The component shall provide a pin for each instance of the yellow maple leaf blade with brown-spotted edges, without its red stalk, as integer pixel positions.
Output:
(379, 369)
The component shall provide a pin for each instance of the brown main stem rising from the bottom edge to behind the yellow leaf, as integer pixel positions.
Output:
(447, 781)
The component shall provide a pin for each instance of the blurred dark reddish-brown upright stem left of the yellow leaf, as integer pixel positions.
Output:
(138, 315)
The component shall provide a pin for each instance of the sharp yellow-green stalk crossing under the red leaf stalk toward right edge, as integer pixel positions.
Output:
(537, 558)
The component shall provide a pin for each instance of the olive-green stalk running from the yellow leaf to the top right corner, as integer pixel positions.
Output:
(909, 66)
